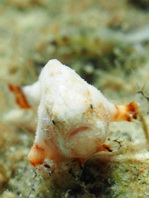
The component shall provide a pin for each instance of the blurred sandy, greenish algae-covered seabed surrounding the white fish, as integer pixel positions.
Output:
(107, 43)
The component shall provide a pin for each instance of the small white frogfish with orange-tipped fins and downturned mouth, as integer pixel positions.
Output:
(73, 116)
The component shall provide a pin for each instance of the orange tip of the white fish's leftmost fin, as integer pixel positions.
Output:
(20, 97)
